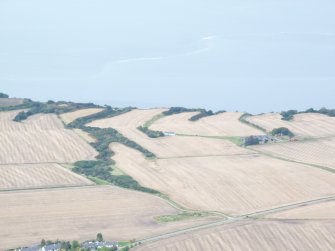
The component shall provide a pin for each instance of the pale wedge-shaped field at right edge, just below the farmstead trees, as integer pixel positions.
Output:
(319, 152)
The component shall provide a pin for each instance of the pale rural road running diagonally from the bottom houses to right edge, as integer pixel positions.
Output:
(238, 218)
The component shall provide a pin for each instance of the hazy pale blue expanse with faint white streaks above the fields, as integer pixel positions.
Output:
(246, 55)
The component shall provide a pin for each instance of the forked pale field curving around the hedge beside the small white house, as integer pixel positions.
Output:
(166, 147)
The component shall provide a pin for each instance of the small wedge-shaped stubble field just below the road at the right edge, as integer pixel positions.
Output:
(325, 210)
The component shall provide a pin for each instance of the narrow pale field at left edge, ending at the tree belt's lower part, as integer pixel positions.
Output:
(38, 176)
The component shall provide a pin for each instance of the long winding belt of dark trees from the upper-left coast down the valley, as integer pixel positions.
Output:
(102, 167)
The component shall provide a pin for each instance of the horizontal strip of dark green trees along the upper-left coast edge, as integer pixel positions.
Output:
(51, 107)
